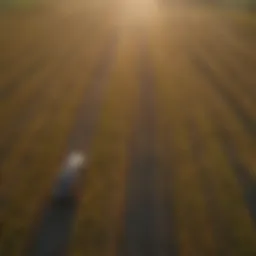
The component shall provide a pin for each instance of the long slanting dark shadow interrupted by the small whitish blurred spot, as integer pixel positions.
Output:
(52, 235)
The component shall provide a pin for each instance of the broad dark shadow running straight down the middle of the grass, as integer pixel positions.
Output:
(143, 234)
